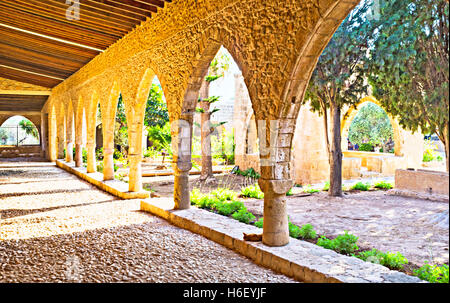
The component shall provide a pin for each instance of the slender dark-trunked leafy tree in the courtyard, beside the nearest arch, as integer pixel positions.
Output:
(339, 80)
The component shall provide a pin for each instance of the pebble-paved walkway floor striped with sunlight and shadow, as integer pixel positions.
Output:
(57, 228)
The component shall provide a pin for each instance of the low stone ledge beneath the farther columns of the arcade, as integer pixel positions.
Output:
(115, 187)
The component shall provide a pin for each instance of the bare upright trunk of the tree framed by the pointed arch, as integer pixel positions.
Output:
(207, 171)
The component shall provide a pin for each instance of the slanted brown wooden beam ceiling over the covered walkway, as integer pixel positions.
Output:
(39, 45)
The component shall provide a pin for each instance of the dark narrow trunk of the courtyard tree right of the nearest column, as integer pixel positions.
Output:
(336, 152)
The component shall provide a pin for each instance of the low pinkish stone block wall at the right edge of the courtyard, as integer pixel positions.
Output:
(422, 181)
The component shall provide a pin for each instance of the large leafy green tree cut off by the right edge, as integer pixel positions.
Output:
(409, 67)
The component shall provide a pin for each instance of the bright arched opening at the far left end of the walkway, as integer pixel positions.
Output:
(19, 137)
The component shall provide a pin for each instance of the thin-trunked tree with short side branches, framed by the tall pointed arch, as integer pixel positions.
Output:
(216, 70)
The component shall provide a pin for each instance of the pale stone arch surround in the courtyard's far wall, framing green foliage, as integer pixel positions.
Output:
(351, 113)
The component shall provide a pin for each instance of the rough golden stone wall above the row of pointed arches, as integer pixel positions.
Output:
(276, 59)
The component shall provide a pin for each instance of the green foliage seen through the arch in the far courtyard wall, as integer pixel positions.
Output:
(372, 125)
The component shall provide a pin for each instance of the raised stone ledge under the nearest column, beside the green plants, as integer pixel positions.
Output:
(301, 260)
